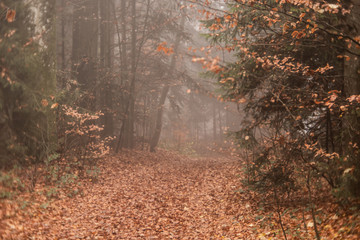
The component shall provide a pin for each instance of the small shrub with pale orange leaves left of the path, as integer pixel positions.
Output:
(79, 149)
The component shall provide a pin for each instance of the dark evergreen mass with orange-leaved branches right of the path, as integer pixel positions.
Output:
(293, 88)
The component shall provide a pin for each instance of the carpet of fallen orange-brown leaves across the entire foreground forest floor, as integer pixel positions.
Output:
(141, 195)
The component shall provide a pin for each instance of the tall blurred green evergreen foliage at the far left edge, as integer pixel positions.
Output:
(25, 81)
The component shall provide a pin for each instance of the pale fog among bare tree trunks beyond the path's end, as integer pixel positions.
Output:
(134, 62)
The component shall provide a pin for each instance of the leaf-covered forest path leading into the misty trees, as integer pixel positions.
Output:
(142, 195)
